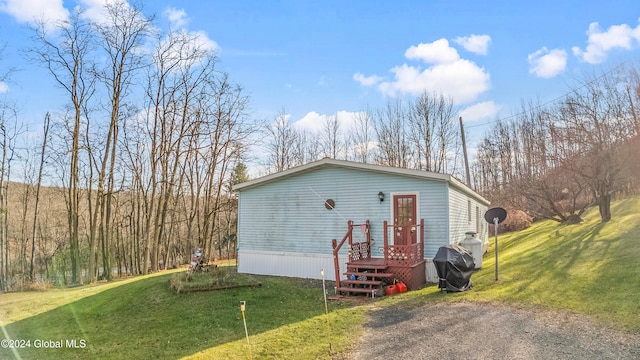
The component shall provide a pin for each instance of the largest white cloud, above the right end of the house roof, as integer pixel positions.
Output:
(446, 73)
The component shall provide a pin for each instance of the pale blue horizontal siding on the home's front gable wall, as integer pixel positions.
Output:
(289, 215)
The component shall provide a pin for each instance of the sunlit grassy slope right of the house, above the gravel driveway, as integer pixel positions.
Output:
(590, 268)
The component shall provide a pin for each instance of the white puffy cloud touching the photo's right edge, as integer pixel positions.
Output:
(599, 42)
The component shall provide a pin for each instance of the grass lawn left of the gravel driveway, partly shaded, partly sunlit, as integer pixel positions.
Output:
(143, 318)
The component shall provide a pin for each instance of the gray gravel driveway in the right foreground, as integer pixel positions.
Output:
(485, 331)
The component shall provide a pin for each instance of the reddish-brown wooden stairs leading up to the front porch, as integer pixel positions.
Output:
(369, 276)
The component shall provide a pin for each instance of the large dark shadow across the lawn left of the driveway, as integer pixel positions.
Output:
(146, 319)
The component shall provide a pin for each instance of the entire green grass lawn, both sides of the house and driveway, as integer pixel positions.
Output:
(591, 268)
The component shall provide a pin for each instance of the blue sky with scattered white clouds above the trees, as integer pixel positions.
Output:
(314, 59)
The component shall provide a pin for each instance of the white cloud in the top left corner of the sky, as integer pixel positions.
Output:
(33, 11)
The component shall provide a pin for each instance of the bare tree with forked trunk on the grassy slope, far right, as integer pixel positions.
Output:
(593, 124)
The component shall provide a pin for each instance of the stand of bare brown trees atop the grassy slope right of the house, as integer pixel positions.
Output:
(557, 160)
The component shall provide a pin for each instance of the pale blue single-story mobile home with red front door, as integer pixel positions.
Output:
(287, 220)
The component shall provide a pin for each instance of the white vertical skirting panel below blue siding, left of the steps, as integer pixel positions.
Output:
(288, 264)
